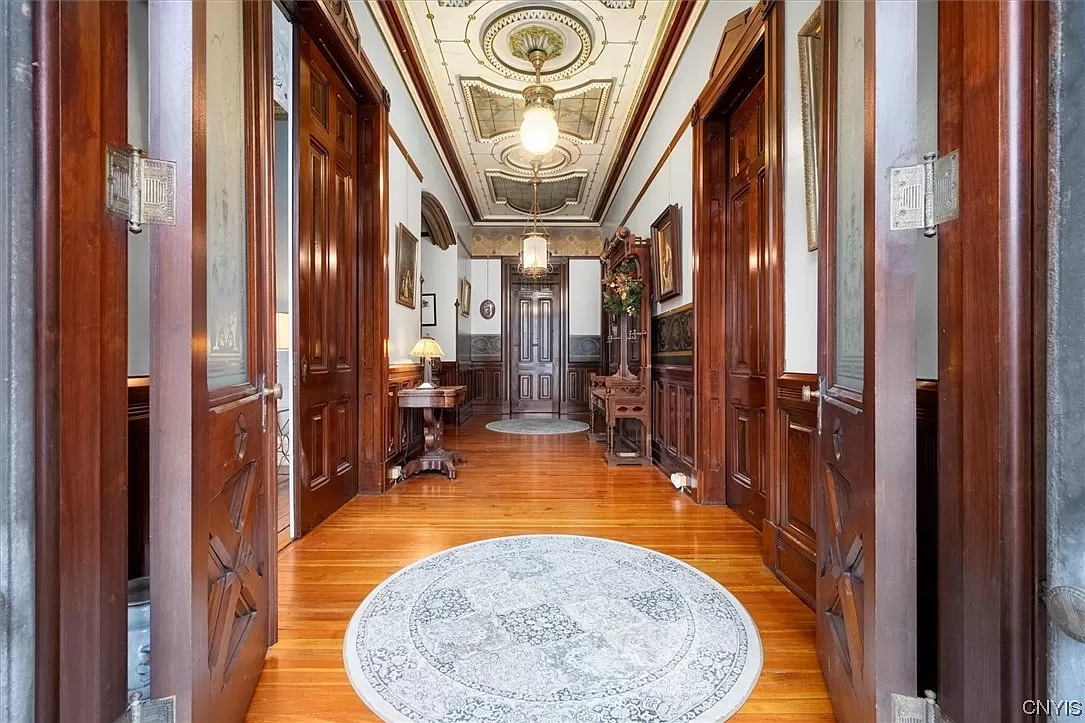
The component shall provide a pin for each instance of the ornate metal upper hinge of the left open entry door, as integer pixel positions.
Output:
(139, 189)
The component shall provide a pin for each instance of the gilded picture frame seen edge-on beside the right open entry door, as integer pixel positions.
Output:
(810, 102)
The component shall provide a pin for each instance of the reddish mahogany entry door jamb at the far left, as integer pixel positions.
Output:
(82, 382)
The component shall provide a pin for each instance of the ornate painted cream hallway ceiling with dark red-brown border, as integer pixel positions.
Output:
(465, 60)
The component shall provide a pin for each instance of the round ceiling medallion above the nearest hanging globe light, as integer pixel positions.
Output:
(509, 40)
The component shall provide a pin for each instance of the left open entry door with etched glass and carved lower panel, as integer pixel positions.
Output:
(213, 408)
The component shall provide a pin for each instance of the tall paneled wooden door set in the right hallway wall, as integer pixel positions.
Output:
(747, 323)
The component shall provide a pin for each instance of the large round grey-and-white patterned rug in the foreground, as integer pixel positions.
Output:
(551, 629)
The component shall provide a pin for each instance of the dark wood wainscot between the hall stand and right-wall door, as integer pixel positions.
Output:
(673, 418)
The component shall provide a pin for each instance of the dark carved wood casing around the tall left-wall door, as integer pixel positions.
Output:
(333, 28)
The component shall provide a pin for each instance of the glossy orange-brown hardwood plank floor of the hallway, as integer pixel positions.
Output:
(518, 486)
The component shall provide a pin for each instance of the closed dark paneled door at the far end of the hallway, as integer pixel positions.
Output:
(534, 346)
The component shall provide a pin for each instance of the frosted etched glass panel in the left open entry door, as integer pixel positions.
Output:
(227, 235)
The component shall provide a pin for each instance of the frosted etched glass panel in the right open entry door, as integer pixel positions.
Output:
(850, 183)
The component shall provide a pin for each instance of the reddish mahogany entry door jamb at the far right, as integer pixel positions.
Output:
(993, 98)
